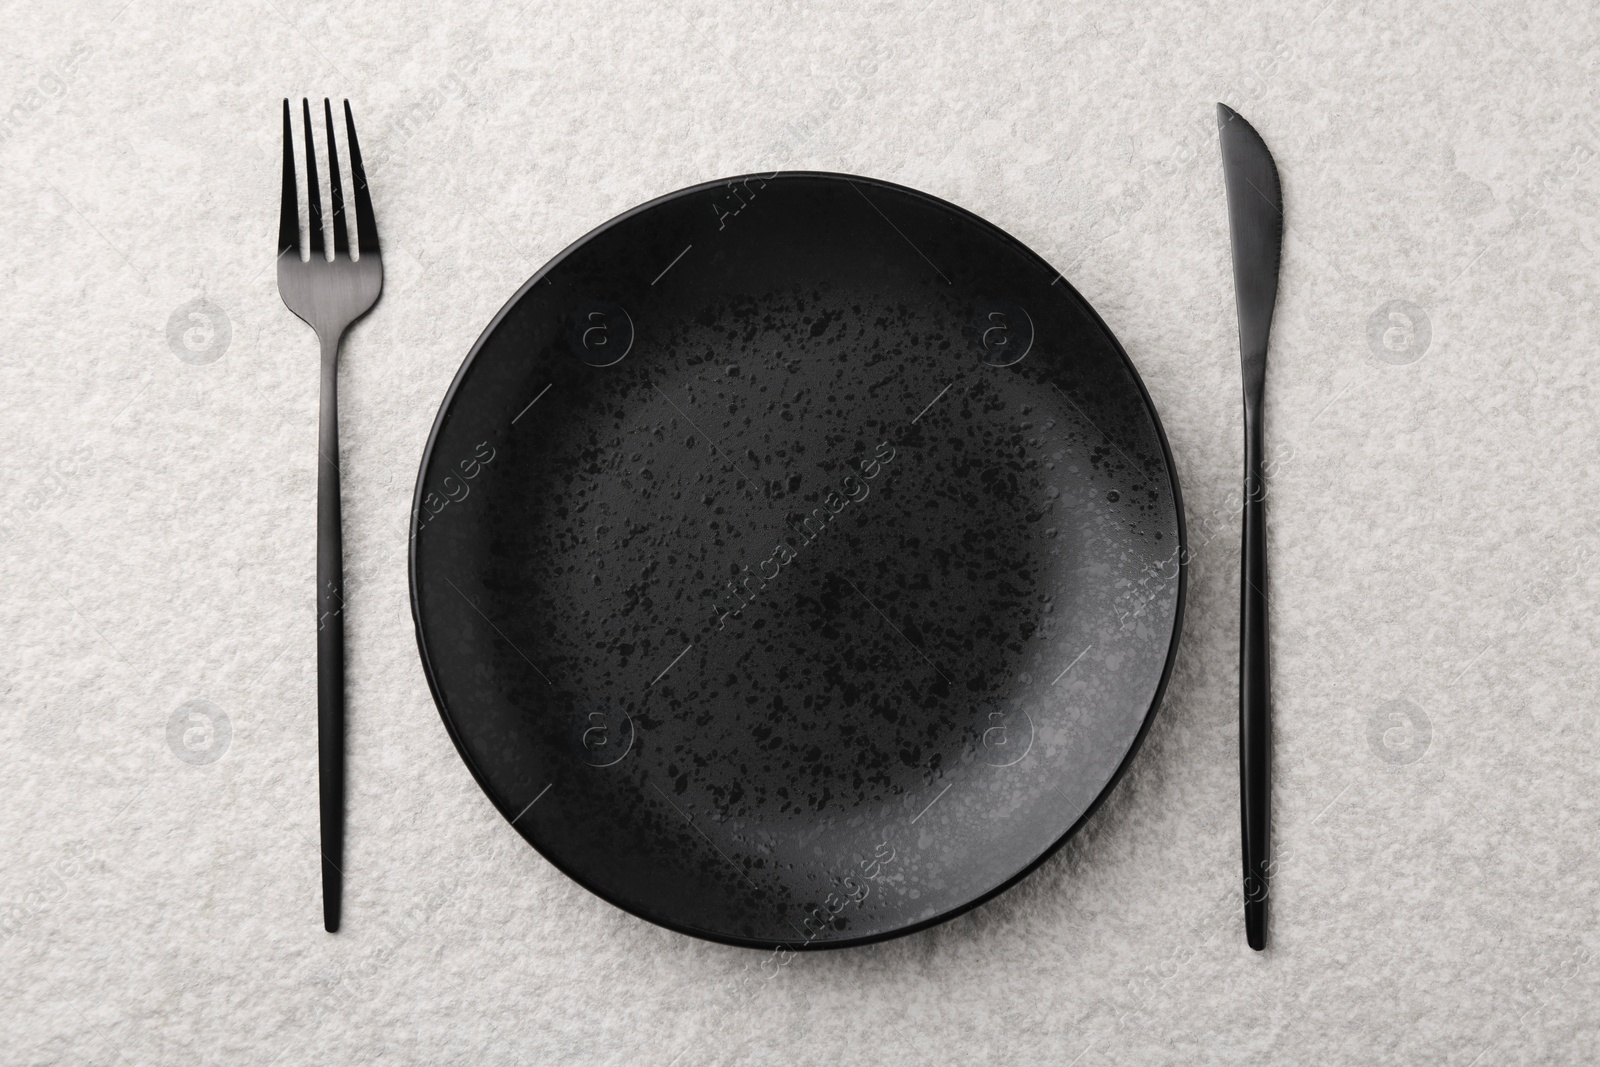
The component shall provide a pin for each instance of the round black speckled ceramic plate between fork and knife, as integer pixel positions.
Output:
(796, 559)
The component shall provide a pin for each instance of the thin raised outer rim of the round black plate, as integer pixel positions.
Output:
(900, 932)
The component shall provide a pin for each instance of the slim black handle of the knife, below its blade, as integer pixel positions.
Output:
(1255, 693)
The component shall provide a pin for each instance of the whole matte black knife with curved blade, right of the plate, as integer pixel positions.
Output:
(1255, 214)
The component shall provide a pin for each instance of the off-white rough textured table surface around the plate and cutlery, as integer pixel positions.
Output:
(1433, 537)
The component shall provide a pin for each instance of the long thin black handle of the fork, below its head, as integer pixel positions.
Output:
(330, 641)
